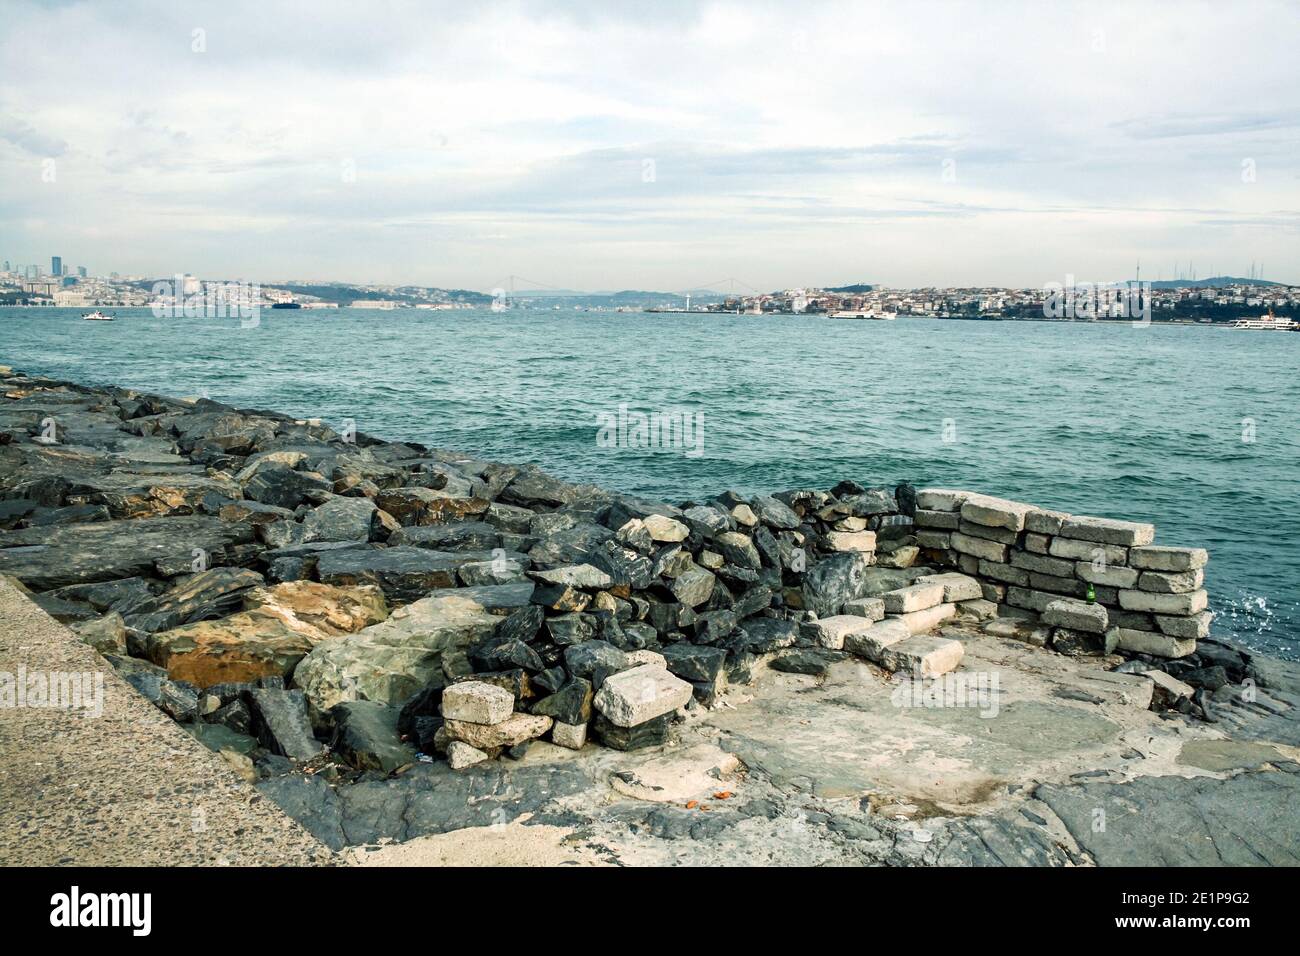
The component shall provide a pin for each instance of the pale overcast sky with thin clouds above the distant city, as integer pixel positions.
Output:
(669, 146)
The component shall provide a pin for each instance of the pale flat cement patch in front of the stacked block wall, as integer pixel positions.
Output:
(952, 758)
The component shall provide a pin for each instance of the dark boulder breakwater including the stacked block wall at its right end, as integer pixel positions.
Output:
(297, 599)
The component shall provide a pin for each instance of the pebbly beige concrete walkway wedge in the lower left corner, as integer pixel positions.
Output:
(128, 788)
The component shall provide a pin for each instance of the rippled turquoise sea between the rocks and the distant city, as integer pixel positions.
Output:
(1193, 429)
